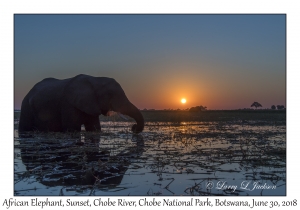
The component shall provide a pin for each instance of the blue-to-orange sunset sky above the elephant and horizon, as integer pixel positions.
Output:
(218, 61)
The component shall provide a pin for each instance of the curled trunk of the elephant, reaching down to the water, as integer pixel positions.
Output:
(133, 112)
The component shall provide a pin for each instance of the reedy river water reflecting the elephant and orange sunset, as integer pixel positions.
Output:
(187, 158)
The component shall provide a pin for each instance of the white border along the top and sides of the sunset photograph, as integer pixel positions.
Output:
(9, 8)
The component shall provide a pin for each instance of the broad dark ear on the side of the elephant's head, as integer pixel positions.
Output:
(81, 94)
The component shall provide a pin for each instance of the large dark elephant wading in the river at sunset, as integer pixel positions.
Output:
(64, 105)
